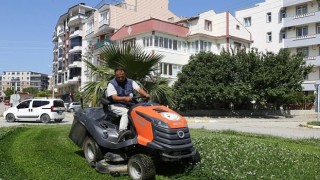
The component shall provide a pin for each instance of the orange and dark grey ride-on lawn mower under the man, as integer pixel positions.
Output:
(157, 134)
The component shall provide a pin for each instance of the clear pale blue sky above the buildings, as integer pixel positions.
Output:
(27, 27)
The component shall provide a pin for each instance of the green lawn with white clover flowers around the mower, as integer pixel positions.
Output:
(46, 152)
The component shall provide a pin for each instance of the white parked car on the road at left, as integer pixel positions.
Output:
(44, 110)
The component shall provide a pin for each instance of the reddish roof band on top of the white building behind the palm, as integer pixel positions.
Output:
(150, 25)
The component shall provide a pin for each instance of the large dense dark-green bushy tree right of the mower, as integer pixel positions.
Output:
(213, 81)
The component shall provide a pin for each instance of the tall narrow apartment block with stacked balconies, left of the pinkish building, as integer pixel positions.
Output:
(67, 40)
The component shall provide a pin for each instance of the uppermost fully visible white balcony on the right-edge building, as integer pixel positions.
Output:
(308, 18)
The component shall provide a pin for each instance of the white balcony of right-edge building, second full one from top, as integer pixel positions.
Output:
(301, 41)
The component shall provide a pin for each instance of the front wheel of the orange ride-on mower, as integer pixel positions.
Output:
(141, 166)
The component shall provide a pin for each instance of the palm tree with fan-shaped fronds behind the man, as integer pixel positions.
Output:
(139, 65)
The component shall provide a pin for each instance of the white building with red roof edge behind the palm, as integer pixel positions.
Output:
(178, 41)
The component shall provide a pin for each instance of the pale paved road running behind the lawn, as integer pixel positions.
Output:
(284, 127)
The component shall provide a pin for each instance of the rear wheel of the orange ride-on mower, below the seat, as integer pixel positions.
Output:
(92, 151)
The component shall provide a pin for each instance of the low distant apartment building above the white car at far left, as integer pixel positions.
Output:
(18, 80)
